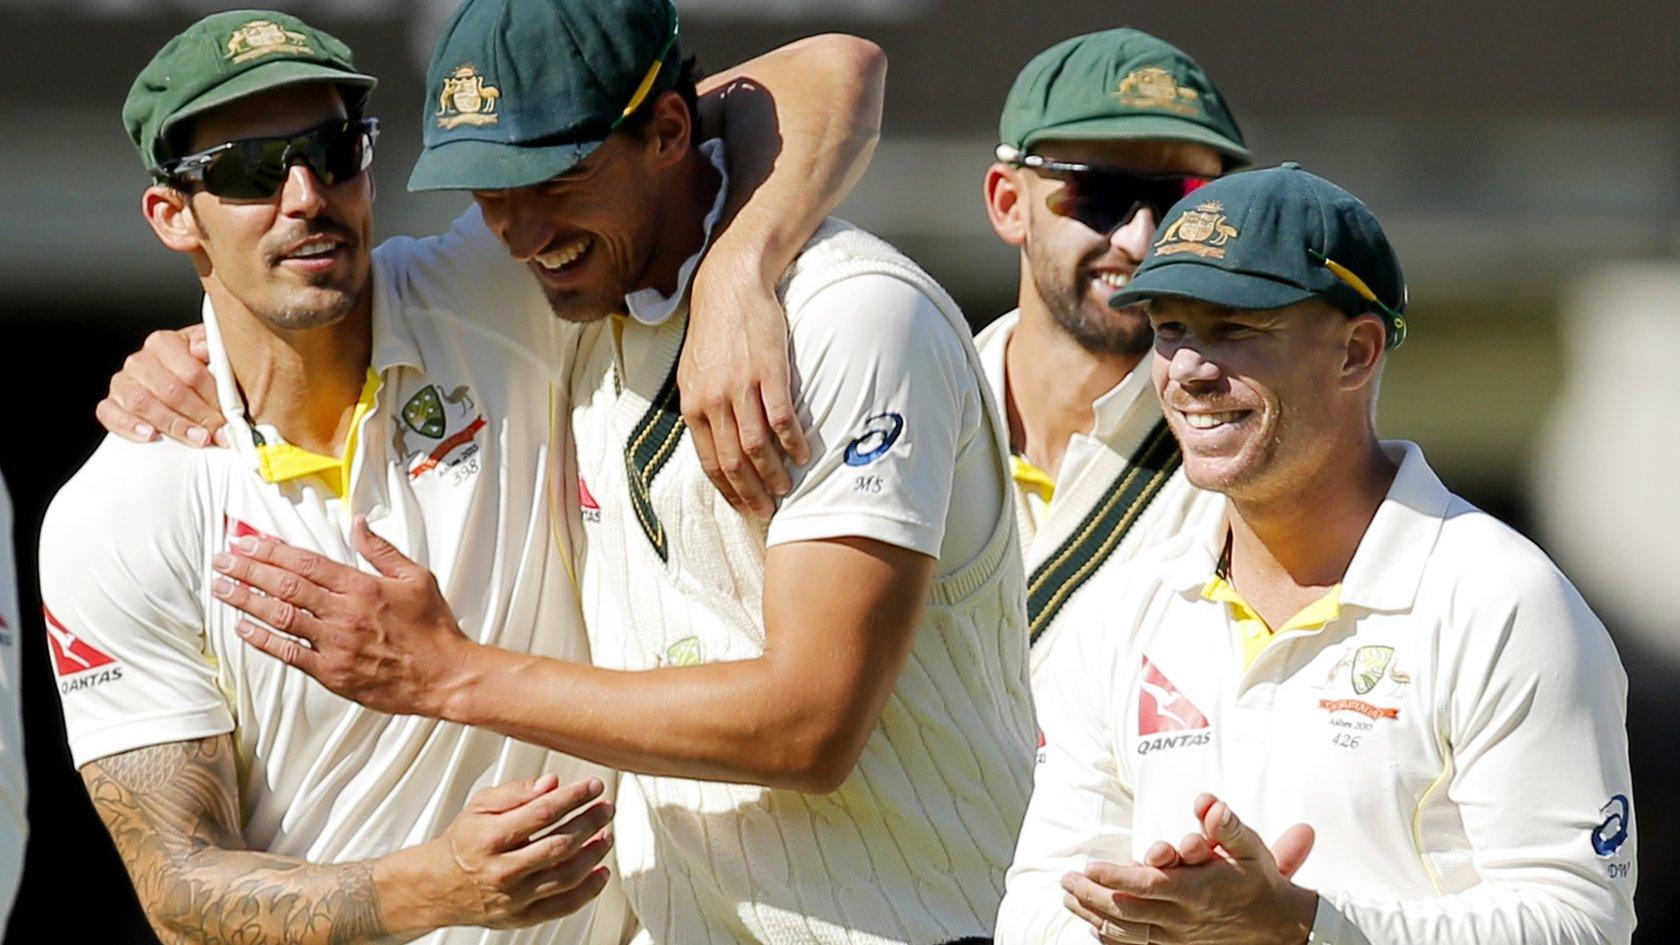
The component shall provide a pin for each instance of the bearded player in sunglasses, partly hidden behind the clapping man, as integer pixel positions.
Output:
(1101, 135)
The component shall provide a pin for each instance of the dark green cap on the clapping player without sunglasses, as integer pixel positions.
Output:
(1269, 240)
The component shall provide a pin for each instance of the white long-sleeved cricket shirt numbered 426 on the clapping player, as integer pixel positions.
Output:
(1457, 737)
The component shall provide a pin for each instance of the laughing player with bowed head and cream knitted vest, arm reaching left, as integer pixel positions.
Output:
(826, 717)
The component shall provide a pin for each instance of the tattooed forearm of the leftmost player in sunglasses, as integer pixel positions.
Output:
(174, 815)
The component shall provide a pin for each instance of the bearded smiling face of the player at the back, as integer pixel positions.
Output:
(1073, 268)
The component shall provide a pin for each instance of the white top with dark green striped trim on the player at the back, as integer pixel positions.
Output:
(1106, 505)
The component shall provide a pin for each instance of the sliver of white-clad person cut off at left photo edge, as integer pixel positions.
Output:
(14, 784)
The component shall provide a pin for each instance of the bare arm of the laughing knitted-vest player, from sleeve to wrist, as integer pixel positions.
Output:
(795, 717)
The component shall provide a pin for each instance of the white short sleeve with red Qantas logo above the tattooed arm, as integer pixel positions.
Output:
(122, 581)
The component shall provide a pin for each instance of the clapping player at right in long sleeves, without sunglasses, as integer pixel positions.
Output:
(1350, 647)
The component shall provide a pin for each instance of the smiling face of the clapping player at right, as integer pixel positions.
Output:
(1259, 401)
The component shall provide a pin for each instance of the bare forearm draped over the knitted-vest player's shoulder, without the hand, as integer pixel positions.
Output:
(801, 125)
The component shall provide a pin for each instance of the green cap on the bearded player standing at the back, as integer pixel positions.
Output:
(1120, 85)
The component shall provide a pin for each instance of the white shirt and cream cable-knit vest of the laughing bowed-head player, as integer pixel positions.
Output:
(913, 847)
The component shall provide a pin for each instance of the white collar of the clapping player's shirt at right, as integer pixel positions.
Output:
(1389, 564)
